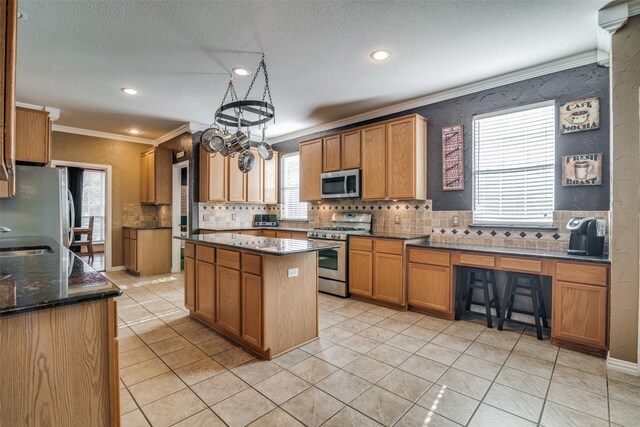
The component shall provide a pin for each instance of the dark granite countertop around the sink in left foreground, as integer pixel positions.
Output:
(35, 282)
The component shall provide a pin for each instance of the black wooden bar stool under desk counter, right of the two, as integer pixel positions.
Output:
(534, 292)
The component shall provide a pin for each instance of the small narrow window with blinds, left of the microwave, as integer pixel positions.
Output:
(292, 208)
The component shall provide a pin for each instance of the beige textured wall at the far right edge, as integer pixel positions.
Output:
(625, 205)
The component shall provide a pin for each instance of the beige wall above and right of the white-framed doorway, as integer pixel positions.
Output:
(124, 157)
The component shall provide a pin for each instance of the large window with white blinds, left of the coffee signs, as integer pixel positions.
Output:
(513, 166)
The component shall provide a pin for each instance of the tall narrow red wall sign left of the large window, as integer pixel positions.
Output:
(452, 158)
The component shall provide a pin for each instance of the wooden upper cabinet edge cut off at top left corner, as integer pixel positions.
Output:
(8, 42)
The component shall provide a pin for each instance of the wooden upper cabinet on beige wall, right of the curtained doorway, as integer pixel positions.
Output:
(155, 177)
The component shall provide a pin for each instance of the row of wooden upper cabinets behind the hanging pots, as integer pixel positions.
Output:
(222, 181)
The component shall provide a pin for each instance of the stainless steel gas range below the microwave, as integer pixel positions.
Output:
(332, 263)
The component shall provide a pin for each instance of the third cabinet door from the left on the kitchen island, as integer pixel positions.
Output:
(228, 300)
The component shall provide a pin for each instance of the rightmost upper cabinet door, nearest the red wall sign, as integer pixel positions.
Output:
(401, 159)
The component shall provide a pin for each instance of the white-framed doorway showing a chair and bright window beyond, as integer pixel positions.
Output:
(90, 185)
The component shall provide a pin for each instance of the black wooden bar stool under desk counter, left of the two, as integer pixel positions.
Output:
(477, 278)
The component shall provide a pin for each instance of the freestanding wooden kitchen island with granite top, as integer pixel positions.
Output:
(261, 292)
